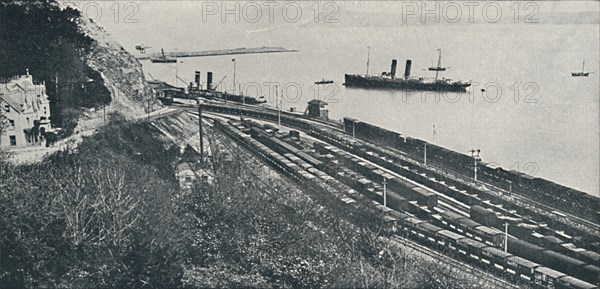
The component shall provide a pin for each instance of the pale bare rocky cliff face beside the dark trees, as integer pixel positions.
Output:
(122, 74)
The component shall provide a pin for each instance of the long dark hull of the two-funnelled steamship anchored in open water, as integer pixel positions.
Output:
(352, 80)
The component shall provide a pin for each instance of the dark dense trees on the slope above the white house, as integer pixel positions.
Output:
(39, 36)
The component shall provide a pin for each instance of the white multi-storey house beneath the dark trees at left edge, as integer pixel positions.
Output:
(26, 109)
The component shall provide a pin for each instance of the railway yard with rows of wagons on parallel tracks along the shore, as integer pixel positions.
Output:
(522, 230)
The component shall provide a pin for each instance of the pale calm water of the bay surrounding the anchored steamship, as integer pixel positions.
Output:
(555, 134)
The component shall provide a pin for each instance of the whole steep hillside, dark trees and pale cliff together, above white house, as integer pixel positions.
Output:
(85, 70)
